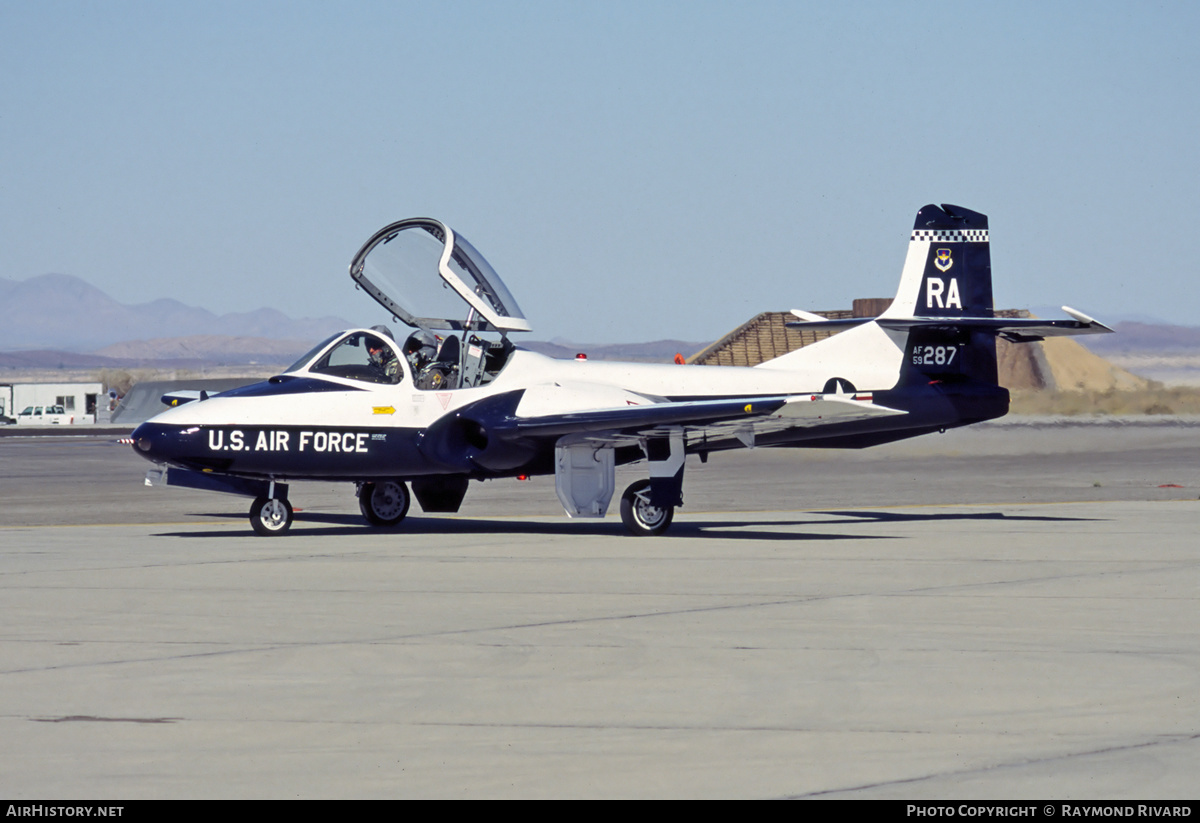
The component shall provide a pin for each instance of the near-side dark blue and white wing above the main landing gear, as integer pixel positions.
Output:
(725, 417)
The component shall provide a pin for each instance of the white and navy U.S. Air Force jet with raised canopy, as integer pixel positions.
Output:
(455, 400)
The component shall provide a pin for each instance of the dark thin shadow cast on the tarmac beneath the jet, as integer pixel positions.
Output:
(334, 525)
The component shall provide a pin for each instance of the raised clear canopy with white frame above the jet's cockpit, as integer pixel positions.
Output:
(423, 273)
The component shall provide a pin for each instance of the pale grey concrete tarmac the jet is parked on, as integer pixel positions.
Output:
(1000, 612)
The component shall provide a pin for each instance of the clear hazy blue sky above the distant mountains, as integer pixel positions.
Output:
(634, 171)
